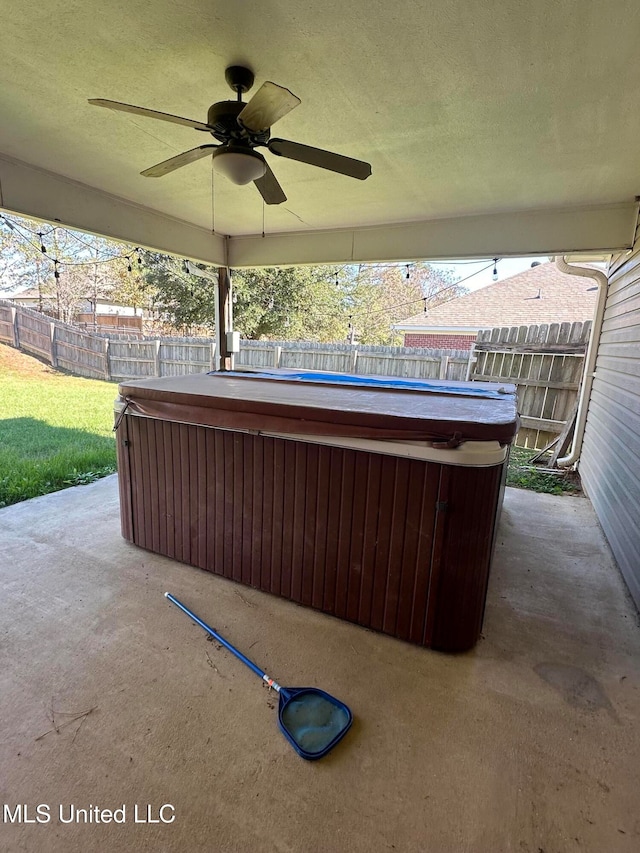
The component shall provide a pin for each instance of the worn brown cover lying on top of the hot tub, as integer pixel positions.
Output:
(278, 401)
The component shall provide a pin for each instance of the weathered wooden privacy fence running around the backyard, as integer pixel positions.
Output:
(545, 362)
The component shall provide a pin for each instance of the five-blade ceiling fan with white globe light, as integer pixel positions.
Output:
(241, 128)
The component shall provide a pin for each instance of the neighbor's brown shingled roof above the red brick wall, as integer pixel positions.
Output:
(541, 294)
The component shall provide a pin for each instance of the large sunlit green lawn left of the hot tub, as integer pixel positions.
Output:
(55, 429)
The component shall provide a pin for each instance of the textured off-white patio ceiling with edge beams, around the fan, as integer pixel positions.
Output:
(465, 111)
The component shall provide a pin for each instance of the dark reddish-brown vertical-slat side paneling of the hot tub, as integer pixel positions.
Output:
(356, 535)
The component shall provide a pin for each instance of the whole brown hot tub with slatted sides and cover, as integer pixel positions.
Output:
(372, 499)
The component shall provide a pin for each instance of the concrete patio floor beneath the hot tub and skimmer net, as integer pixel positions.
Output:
(529, 743)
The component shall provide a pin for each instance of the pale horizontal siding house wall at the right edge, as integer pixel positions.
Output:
(610, 462)
